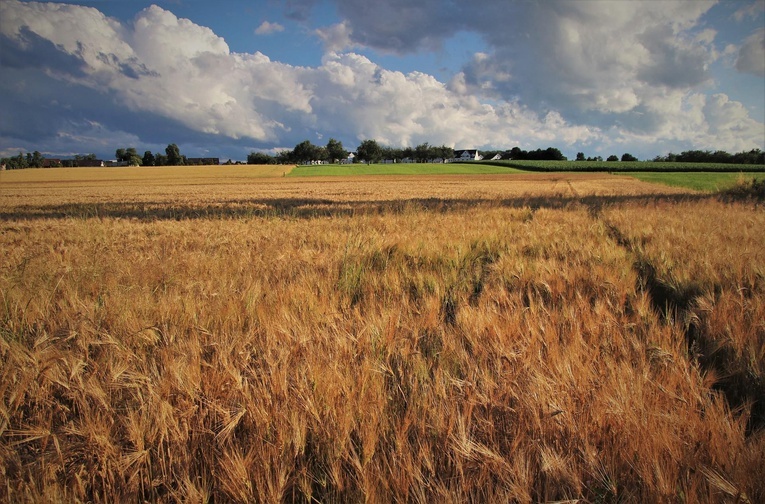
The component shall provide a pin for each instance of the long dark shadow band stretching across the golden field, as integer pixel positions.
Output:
(306, 208)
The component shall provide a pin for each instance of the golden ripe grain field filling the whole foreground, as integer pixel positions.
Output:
(457, 338)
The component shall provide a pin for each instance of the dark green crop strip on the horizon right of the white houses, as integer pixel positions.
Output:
(626, 166)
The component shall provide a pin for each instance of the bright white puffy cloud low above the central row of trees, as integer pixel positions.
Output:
(367, 101)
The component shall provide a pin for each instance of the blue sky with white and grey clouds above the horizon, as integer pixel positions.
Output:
(226, 78)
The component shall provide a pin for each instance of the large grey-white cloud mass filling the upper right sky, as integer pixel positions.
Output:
(625, 71)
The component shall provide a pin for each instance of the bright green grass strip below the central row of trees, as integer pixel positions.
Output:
(400, 169)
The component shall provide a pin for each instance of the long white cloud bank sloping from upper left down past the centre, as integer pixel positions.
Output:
(186, 73)
